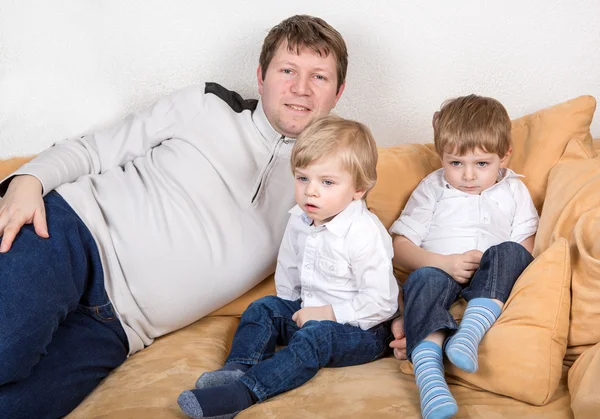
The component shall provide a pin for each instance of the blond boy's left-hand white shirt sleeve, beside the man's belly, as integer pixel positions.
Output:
(287, 275)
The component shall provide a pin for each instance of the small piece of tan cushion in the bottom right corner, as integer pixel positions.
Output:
(583, 384)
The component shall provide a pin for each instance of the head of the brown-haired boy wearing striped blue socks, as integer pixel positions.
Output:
(472, 137)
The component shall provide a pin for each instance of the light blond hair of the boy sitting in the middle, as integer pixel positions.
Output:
(350, 141)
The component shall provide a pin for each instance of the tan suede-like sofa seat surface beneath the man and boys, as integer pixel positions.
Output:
(148, 383)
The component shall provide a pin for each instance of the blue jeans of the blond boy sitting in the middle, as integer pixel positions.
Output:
(267, 322)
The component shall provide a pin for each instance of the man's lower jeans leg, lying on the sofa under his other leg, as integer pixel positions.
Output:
(83, 351)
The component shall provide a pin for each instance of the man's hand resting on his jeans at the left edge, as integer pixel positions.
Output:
(22, 204)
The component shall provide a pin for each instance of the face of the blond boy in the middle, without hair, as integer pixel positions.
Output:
(324, 189)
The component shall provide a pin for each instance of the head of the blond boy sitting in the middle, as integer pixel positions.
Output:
(334, 163)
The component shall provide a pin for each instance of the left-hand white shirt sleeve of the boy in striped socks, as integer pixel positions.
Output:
(415, 220)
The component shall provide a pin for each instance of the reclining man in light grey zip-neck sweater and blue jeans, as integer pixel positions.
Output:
(154, 223)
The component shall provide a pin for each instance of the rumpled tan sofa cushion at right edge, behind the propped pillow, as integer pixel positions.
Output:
(572, 212)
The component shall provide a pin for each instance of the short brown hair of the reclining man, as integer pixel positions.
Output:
(310, 32)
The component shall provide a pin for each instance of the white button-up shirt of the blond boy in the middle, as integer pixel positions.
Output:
(346, 262)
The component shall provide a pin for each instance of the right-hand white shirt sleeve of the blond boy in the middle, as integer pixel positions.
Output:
(371, 263)
